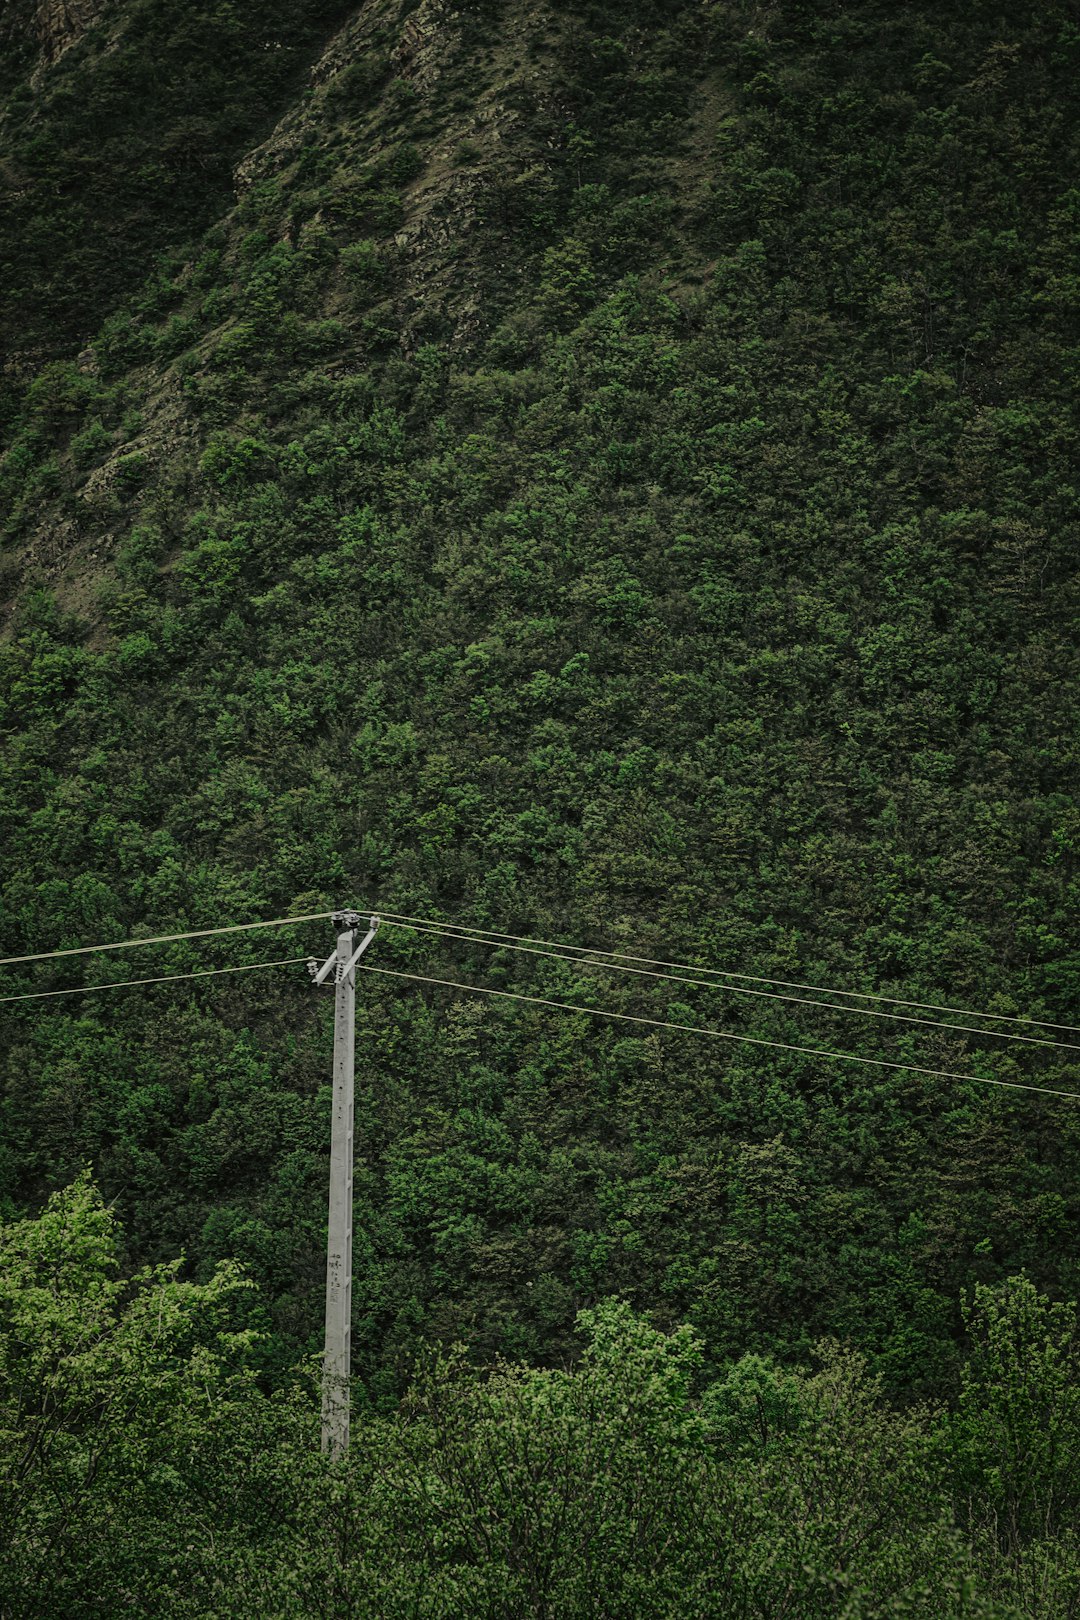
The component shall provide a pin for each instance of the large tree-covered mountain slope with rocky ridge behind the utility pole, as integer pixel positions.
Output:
(608, 474)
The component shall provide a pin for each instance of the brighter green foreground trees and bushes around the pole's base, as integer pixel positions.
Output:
(143, 1472)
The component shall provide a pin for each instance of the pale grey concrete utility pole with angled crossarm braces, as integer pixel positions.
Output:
(339, 1253)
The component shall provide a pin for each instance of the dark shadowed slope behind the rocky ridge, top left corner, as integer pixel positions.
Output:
(119, 132)
